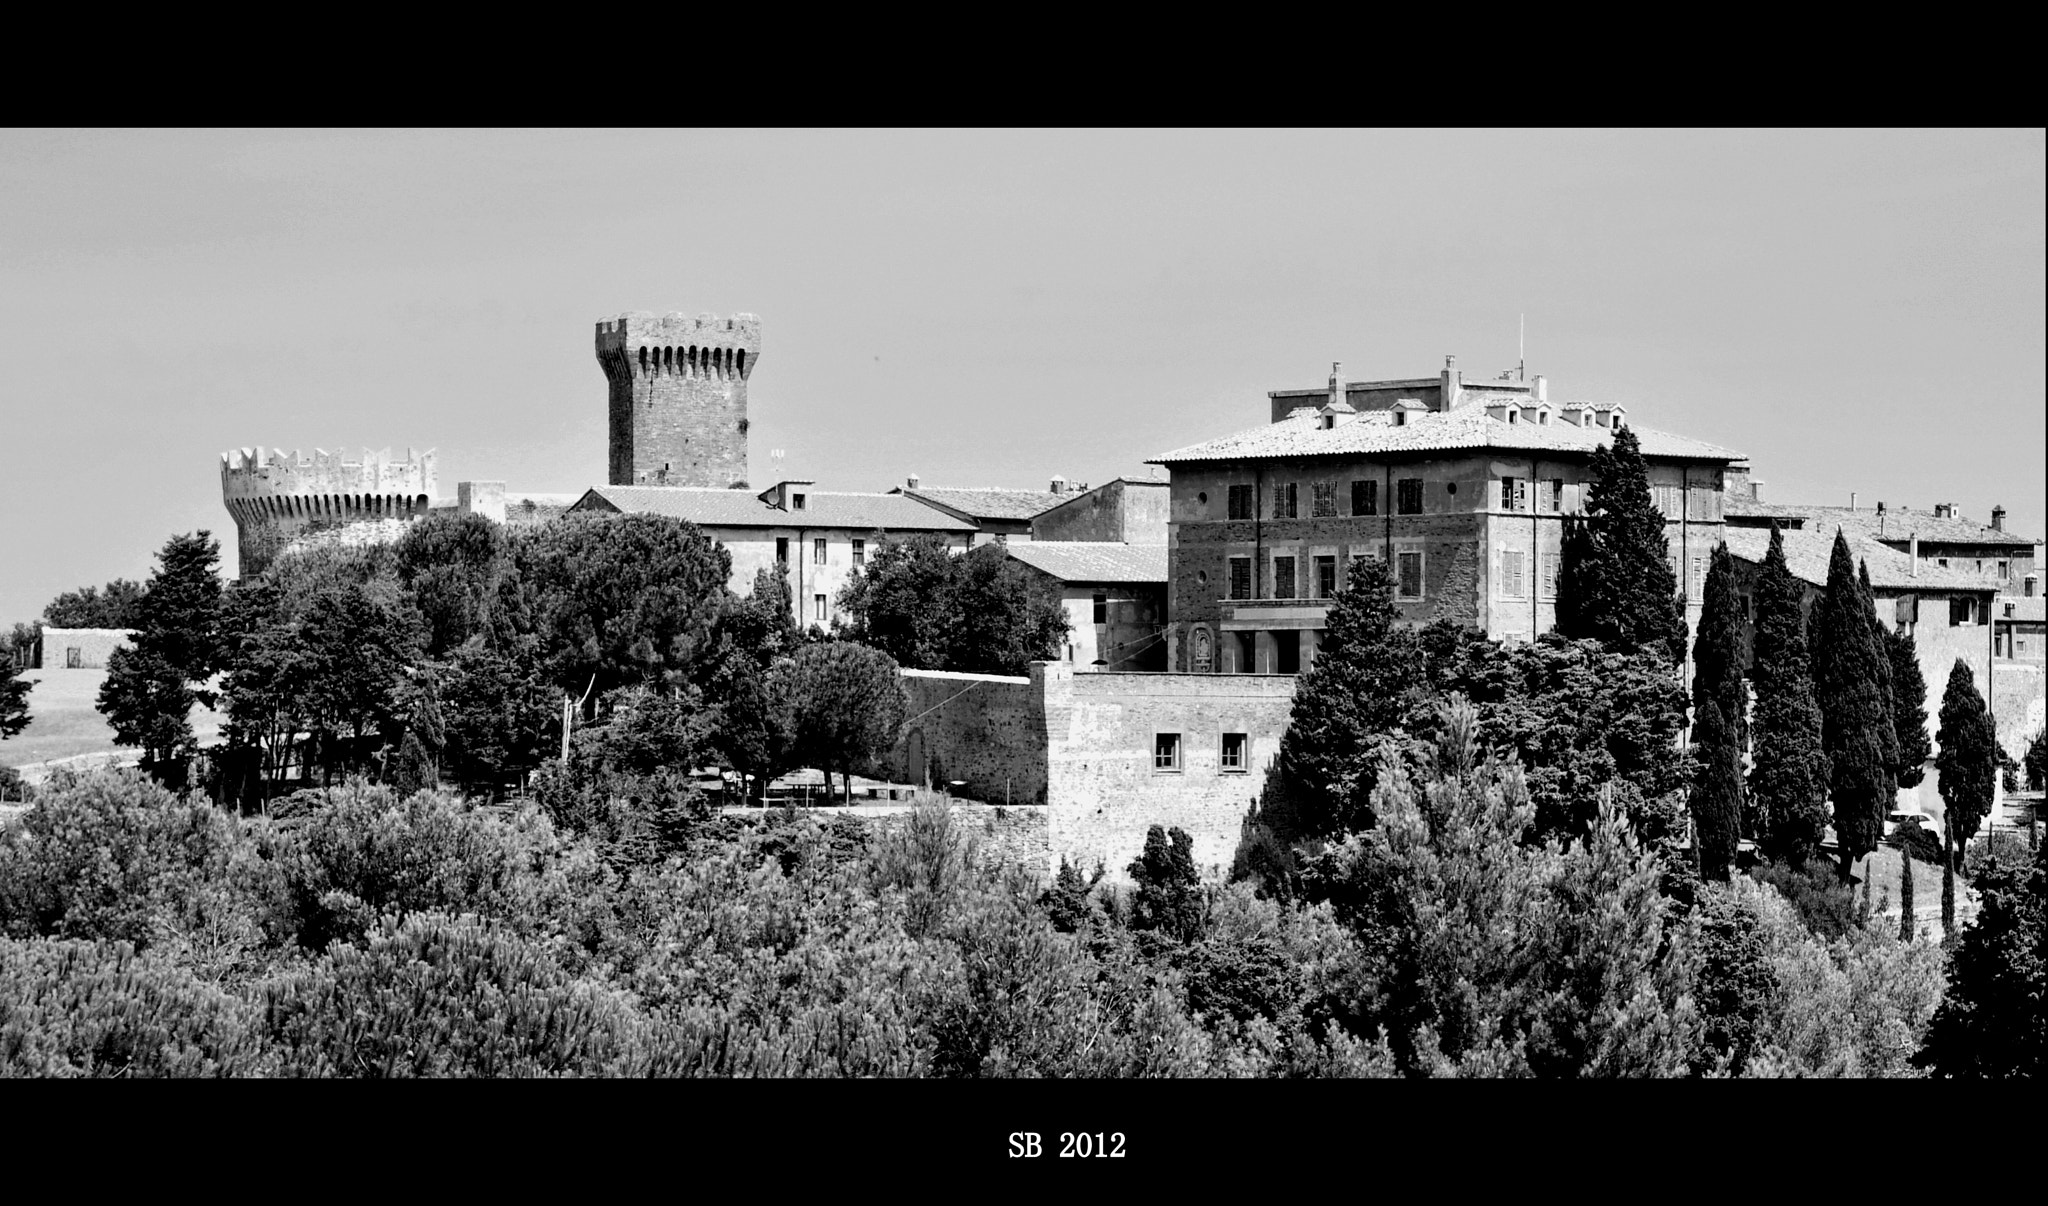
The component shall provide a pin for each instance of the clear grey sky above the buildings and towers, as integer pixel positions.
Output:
(1852, 310)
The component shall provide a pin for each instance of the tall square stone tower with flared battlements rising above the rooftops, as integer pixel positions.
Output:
(679, 396)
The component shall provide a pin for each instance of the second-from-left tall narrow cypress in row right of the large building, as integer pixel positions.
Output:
(1789, 775)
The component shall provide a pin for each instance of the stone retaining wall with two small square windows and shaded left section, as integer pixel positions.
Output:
(1105, 755)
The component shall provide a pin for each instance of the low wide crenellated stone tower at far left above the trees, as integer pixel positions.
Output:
(286, 501)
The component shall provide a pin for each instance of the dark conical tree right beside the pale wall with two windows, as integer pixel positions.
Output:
(1359, 691)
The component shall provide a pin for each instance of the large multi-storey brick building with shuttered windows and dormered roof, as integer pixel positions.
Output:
(1461, 488)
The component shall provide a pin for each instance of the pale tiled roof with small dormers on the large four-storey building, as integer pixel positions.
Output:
(1465, 429)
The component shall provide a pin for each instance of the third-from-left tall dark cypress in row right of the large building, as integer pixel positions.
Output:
(1857, 720)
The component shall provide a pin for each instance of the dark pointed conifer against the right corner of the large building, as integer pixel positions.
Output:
(1623, 591)
